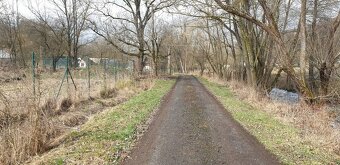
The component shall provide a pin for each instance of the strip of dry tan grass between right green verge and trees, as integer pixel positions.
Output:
(314, 122)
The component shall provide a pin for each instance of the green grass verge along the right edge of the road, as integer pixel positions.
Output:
(281, 139)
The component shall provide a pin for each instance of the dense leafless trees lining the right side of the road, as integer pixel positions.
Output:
(251, 40)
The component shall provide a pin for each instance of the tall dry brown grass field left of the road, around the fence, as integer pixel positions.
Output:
(32, 125)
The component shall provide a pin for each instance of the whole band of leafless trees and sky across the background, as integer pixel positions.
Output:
(257, 42)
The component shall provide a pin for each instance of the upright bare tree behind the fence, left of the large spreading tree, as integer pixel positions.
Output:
(71, 17)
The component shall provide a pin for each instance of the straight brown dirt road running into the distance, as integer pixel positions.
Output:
(192, 127)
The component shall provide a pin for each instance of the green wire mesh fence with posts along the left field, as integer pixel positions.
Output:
(85, 81)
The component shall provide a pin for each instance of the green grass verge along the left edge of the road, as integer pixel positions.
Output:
(106, 136)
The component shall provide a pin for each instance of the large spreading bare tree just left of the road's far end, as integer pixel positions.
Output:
(125, 29)
